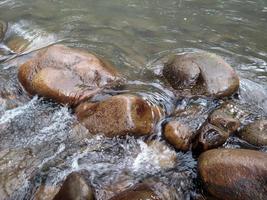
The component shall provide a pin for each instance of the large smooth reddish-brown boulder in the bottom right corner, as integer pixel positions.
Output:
(236, 174)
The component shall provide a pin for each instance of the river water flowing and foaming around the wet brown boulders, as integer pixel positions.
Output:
(41, 142)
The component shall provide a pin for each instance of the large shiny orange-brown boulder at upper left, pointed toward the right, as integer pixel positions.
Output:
(65, 75)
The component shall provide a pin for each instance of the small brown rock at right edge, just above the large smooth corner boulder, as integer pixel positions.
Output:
(255, 133)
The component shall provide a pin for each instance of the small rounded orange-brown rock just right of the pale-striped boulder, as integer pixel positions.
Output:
(179, 135)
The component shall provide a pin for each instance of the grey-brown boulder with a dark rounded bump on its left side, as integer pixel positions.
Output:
(202, 73)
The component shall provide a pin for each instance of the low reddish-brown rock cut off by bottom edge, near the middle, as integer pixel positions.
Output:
(138, 192)
